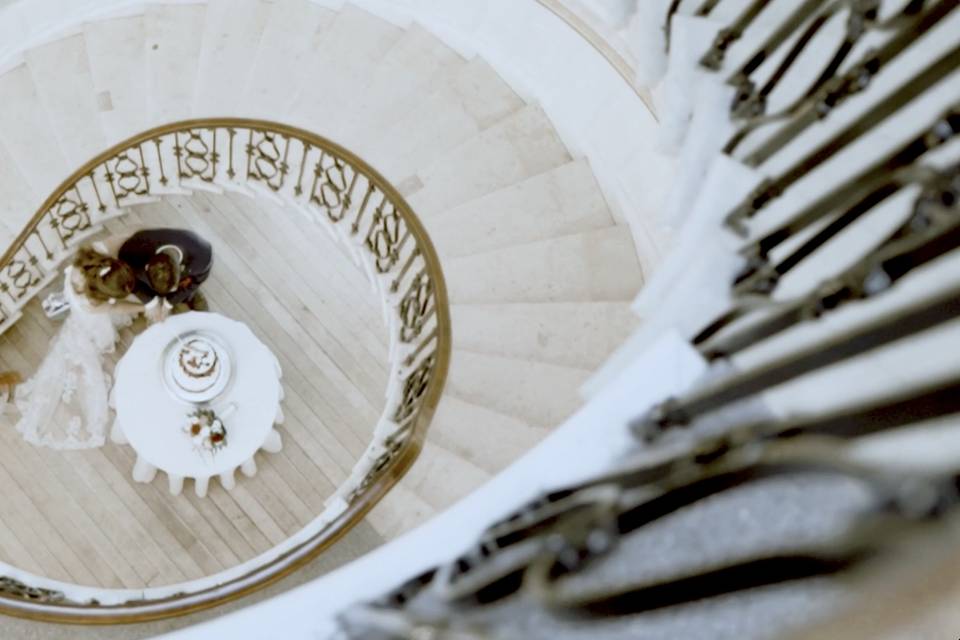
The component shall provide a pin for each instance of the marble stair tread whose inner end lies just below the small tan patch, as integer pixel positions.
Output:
(522, 145)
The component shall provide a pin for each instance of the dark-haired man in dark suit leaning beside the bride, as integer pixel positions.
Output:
(169, 264)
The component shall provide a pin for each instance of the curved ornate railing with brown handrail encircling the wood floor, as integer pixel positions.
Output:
(328, 183)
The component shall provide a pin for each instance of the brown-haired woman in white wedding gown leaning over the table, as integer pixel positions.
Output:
(65, 404)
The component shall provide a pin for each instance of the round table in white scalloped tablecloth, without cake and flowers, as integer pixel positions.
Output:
(151, 419)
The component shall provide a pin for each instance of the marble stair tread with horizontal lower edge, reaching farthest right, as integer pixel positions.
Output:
(597, 265)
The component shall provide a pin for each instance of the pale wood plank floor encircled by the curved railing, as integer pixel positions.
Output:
(78, 516)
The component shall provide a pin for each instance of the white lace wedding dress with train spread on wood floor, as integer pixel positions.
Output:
(65, 404)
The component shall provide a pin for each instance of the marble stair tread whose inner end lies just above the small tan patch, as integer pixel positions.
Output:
(473, 100)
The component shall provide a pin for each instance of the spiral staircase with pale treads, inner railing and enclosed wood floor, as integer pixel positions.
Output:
(509, 225)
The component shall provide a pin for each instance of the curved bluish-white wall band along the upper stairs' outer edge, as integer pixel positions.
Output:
(545, 60)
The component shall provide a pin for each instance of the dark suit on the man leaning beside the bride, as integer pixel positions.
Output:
(197, 260)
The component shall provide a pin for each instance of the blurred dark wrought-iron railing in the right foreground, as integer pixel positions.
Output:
(571, 557)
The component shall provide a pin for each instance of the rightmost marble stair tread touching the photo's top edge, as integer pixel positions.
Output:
(352, 47)
